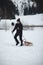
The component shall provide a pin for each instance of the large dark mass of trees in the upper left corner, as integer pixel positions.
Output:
(7, 9)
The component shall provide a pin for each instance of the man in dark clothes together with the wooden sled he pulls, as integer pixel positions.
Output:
(19, 29)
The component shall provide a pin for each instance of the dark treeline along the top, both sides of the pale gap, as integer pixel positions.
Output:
(8, 9)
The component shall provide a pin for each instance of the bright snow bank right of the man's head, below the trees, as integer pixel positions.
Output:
(32, 19)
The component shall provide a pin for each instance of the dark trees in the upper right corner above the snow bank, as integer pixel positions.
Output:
(33, 10)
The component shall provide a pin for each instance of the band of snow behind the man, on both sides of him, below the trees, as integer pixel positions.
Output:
(26, 20)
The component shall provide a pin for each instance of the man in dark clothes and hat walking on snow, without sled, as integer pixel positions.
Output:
(18, 27)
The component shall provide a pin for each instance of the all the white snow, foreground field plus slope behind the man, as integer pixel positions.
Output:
(25, 55)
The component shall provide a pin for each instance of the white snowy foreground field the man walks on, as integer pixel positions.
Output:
(15, 55)
